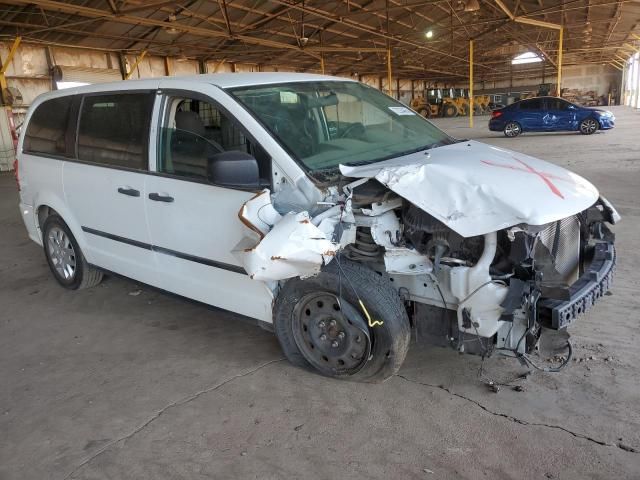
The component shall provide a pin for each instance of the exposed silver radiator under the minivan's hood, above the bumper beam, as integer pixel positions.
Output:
(564, 245)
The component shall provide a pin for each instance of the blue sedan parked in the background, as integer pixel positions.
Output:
(549, 114)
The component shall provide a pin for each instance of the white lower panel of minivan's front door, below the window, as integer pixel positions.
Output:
(193, 237)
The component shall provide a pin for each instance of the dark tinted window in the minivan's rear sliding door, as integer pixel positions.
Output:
(114, 129)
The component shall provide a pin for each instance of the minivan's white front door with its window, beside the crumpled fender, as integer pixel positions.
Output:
(193, 222)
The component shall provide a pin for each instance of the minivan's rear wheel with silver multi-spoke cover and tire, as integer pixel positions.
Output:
(65, 259)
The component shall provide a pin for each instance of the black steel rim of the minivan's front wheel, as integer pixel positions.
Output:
(327, 337)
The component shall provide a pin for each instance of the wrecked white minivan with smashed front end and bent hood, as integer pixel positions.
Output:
(326, 210)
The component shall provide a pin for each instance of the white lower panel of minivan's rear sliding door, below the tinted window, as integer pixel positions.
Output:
(113, 221)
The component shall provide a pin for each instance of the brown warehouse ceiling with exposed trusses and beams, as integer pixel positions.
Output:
(351, 36)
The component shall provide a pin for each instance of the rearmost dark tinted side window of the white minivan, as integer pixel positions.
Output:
(47, 129)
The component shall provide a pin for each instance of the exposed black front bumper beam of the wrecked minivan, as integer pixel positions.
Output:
(594, 283)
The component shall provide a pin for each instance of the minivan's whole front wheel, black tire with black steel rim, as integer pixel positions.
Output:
(383, 347)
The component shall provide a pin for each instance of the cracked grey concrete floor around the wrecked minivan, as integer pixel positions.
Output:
(103, 384)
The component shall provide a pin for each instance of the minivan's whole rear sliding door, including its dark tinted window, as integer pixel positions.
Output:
(105, 187)
